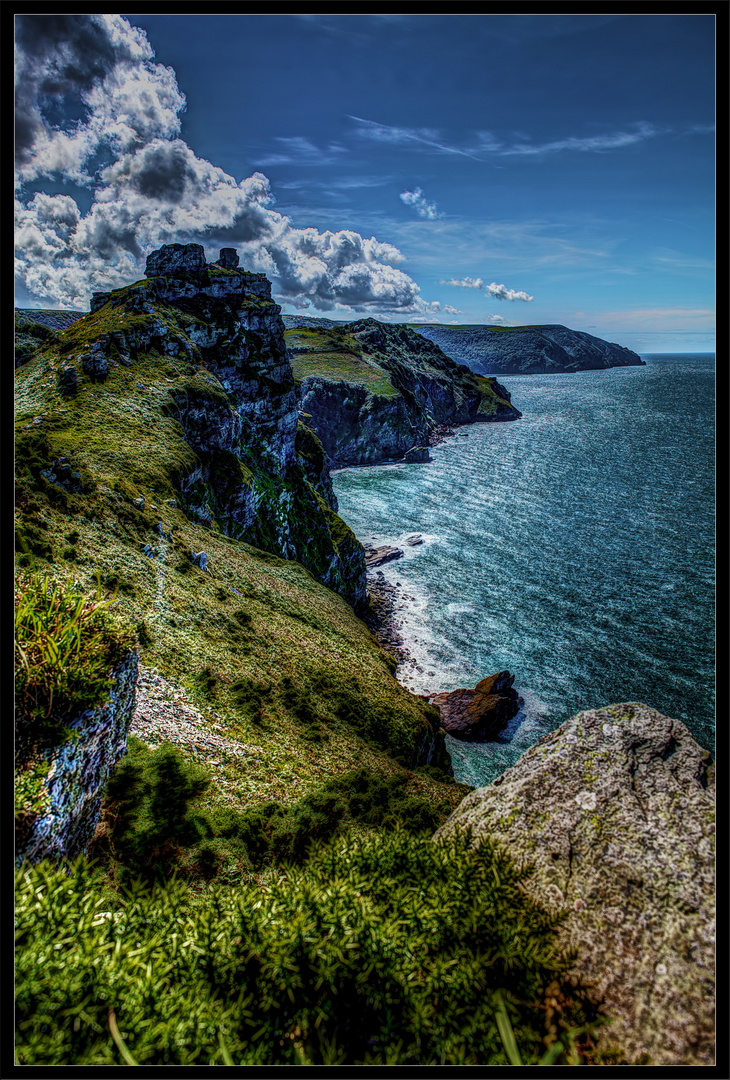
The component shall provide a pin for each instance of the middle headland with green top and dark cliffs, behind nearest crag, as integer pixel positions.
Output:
(375, 393)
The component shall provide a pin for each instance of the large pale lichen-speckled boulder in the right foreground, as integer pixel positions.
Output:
(616, 812)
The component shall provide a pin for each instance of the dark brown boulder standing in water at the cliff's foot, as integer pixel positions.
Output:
(479, 715)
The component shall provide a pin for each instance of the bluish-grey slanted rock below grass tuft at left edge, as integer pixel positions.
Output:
(62, 823)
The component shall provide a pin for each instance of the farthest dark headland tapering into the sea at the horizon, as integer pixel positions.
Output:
(529, 350)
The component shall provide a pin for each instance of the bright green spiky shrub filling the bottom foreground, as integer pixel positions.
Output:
(394, 950)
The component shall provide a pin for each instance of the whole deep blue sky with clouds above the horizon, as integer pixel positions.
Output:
(496, 169)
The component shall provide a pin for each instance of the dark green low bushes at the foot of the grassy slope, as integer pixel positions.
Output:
(155, 825)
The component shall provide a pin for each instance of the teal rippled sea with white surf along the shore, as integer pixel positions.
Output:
(574, 547)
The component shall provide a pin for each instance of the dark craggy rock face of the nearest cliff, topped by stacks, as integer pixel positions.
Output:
(258, 474)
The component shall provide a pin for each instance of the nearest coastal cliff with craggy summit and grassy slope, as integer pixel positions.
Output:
(160, 458)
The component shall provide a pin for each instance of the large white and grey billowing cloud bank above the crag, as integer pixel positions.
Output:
(94, 107)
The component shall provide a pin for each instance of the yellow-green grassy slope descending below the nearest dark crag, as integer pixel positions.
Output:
(281, 659)
